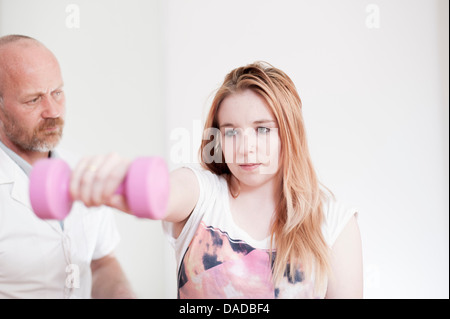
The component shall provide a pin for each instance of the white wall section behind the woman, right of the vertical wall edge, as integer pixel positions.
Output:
(374, 108)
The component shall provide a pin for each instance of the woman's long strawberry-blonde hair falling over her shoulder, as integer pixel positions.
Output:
(296, 226)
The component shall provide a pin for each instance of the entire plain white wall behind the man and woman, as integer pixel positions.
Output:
(375, 97)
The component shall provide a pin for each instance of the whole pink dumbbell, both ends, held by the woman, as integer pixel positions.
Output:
(145, 187)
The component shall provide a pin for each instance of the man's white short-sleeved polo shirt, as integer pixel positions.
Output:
(40, 258)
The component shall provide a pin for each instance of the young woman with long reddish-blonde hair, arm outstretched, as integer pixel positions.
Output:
(254, 221)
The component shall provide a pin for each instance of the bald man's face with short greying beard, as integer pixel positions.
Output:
(33, 108)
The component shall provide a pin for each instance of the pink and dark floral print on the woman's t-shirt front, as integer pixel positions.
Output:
(216, 266)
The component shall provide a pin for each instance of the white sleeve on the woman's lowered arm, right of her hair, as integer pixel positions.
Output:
(337, 215)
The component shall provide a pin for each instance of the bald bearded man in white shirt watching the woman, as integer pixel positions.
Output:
(41, 258)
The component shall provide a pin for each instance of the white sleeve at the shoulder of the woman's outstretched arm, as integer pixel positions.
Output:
(209, 188)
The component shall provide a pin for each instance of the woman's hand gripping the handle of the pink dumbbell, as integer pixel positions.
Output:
(95, 180)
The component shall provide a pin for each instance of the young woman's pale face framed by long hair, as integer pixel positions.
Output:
(250, 141)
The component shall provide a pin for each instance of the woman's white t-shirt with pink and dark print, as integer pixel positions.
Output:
(217, 259)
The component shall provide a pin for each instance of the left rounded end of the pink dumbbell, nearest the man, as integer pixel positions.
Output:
(49, 189)
